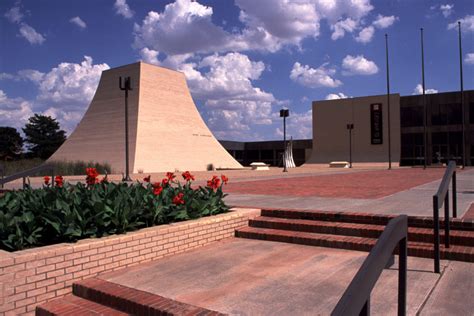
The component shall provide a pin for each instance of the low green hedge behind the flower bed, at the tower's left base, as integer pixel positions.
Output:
(65, 168)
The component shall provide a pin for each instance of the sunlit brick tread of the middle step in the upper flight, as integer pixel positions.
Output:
(378, 227)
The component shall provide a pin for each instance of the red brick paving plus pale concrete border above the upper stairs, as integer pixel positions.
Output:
(416, 200)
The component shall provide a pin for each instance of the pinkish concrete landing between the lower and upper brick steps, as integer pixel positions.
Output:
(253, 277)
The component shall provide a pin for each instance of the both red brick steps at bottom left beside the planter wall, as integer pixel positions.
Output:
(99, 297)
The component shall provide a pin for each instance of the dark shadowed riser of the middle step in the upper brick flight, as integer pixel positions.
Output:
(368, 233)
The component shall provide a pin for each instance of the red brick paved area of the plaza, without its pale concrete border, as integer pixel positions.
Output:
(358, 185)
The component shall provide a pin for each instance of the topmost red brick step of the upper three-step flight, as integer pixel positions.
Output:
(366, 218)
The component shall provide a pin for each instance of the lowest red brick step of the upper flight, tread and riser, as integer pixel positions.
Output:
(416, 249)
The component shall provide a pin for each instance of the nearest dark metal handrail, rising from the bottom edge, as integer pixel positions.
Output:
(356, 298)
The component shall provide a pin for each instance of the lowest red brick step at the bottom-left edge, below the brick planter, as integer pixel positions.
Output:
(73, 305)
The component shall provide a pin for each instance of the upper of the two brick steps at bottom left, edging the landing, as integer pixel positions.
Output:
(133, 301)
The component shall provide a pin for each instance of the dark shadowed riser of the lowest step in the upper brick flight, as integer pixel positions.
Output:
(358, 246)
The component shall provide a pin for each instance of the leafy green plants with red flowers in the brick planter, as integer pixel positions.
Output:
(66, 213)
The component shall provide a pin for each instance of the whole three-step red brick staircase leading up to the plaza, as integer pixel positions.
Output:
(357, 231)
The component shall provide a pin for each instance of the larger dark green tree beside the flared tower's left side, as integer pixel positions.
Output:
(43, 136)
